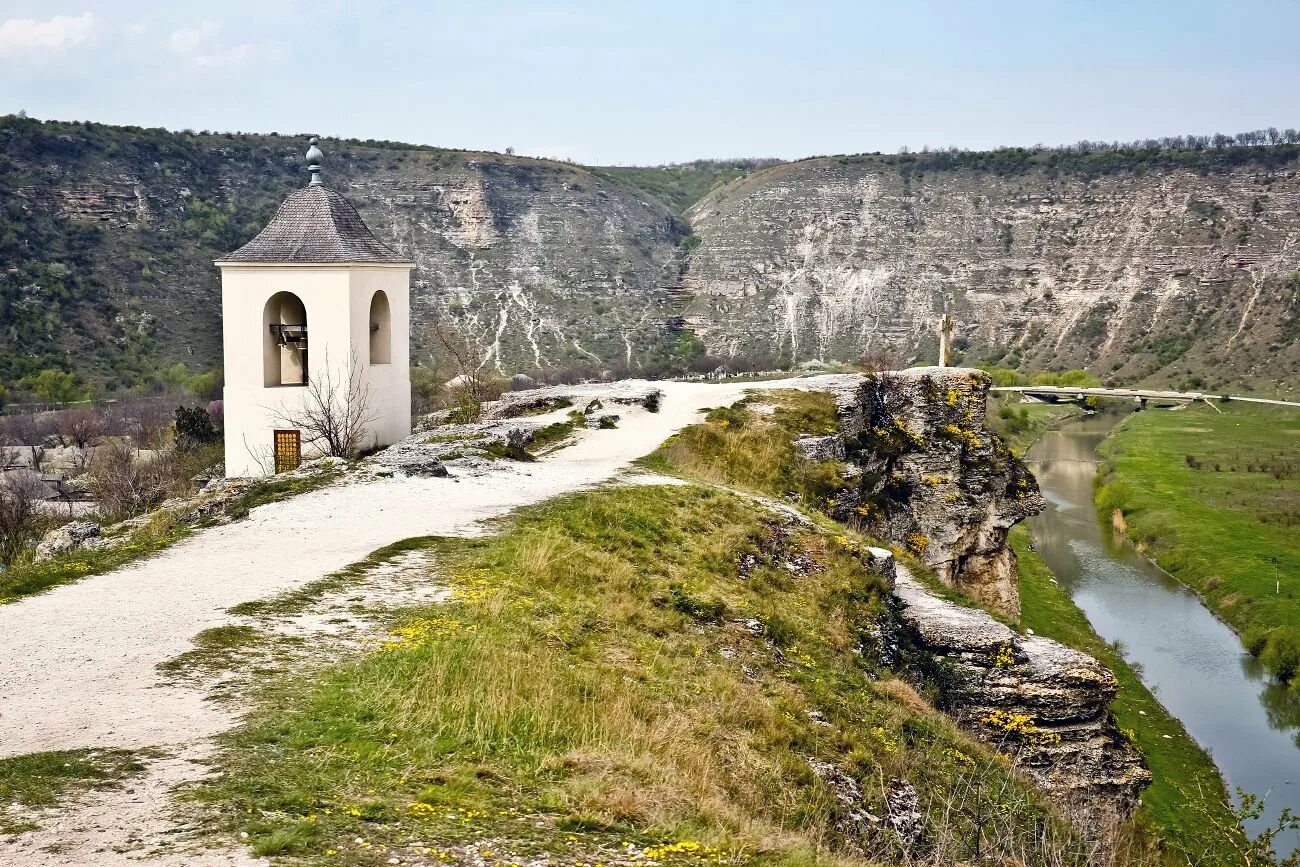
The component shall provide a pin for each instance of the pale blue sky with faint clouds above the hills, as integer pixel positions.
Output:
(625, 83)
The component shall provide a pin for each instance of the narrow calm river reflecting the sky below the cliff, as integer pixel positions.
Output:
(1193, 662)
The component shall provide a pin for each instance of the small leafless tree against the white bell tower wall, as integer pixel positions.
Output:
(336, 411)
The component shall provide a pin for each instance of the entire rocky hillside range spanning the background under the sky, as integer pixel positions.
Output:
(1167, 266)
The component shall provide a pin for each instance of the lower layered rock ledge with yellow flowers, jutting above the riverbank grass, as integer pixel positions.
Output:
(1041, 703)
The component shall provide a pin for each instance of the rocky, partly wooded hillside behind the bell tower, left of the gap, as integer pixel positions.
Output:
(107, 240)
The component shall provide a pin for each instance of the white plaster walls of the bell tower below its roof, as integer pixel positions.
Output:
(337, 300)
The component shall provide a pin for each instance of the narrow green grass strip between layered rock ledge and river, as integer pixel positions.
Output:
(1186, 803)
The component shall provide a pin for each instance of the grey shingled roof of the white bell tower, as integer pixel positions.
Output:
(317, 226)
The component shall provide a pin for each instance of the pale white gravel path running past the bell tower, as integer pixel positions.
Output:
(77, 665)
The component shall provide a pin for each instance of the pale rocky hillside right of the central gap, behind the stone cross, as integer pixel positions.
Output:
(1163, 266)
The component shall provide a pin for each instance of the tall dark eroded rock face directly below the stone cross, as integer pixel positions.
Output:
(929, 476)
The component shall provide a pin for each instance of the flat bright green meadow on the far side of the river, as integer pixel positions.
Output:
(1214, 498)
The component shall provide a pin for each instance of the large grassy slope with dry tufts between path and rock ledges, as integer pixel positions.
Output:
(592, 683)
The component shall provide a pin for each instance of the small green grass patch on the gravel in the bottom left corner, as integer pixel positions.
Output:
(45, 779)
